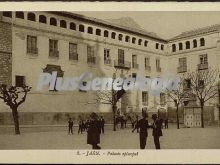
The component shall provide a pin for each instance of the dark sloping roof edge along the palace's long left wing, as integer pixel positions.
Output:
(105, 23)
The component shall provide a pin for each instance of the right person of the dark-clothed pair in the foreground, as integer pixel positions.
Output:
(157, 132)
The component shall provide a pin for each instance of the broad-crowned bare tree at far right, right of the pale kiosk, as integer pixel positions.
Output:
(204, 87)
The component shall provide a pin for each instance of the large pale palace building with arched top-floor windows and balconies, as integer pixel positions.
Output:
(71, 44)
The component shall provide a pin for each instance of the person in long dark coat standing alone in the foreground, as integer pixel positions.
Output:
(93, 135)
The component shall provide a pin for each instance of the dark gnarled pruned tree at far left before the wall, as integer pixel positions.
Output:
(14, 97)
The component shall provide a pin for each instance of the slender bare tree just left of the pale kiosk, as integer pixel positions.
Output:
(177, 96)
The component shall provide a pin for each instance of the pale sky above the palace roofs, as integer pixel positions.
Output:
(166, 24)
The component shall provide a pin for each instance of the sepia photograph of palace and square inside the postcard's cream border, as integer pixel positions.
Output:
(109, 80)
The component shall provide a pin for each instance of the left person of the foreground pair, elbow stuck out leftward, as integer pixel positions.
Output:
(142, 124)
